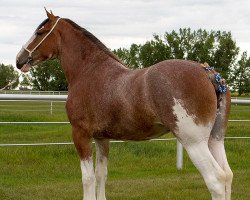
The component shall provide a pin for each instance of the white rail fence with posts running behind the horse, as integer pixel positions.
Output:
(62, 98)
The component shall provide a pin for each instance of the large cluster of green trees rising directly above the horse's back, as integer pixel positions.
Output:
(214, 47)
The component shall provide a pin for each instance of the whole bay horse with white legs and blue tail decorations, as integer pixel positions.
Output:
(106, 100)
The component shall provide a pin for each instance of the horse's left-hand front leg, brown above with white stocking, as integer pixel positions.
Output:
(83, 143)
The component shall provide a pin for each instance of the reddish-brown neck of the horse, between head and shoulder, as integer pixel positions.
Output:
(79, 56)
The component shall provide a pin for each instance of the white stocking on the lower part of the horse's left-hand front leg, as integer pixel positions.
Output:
(88, 179)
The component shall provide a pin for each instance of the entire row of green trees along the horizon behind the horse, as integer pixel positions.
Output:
(217, 48)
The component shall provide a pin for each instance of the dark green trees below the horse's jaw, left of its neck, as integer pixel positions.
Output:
(48, 76)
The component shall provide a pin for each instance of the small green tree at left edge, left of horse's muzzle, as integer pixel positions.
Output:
(9, 78)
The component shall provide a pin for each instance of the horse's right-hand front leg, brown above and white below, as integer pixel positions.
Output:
(102, 151)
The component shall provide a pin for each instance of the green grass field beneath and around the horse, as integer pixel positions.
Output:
(137, 170)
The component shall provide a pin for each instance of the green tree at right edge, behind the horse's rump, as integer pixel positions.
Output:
(241, 75)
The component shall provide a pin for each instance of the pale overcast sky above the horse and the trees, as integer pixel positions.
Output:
(119, 23)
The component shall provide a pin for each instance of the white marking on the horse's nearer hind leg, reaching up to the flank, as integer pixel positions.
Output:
(194, 138)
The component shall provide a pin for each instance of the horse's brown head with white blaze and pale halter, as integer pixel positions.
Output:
(42, 45)
